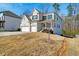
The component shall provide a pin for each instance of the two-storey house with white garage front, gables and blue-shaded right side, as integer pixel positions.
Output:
(38, 21)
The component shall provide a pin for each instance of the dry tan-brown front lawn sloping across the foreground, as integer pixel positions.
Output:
(37, 44)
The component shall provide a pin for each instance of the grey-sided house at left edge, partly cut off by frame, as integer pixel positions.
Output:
(9, 21)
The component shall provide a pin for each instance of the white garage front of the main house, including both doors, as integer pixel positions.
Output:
(25, 25)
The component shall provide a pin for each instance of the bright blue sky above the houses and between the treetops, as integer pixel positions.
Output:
(20, 8)
